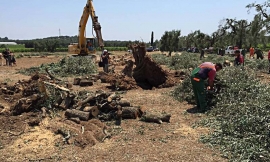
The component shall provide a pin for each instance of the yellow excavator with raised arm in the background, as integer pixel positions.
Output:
(86, 46)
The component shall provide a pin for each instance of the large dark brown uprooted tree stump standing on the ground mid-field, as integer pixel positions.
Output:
(147, 73)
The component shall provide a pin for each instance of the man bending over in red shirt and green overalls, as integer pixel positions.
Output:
(205, 71)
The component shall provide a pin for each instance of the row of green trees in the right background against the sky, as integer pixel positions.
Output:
(240, 33)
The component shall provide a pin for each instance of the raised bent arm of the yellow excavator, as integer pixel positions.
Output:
(89, 11)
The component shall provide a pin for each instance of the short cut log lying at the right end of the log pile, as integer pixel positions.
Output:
(156, 117)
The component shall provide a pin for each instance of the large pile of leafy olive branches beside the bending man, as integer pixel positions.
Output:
(239, 114)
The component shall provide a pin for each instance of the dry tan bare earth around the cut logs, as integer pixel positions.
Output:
(133, 141)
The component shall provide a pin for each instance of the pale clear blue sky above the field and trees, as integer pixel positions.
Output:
(120, 19)
